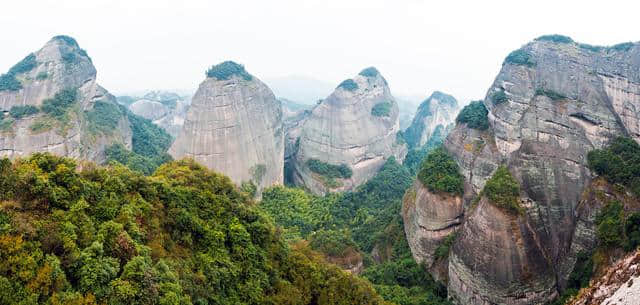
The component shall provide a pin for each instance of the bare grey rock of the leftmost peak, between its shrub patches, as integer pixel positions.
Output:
(58, 66)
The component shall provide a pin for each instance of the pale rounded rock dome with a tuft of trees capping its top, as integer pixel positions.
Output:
(234, 126)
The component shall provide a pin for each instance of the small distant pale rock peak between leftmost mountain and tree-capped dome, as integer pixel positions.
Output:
(165, 109)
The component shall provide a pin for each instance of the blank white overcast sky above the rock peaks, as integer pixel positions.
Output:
(419, 46)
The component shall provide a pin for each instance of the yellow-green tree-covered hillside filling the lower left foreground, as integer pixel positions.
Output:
(185, 235)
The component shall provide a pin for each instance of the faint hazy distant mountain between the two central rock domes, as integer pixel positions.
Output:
(305, 90)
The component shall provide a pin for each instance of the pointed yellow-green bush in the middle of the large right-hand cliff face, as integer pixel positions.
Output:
(503, 190)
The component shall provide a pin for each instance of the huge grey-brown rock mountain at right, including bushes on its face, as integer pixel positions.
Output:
(513, 175)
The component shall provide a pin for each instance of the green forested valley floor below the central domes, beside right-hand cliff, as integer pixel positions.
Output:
(365, 219)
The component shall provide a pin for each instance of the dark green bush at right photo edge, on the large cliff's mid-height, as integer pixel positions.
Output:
(618, 163)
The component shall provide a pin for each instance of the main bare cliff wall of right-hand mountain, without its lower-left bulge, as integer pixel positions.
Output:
(552, 102)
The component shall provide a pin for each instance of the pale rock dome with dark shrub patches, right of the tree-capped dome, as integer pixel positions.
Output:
(355, 128)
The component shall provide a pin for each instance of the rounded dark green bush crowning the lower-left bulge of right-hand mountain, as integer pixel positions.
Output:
(440, 173)
